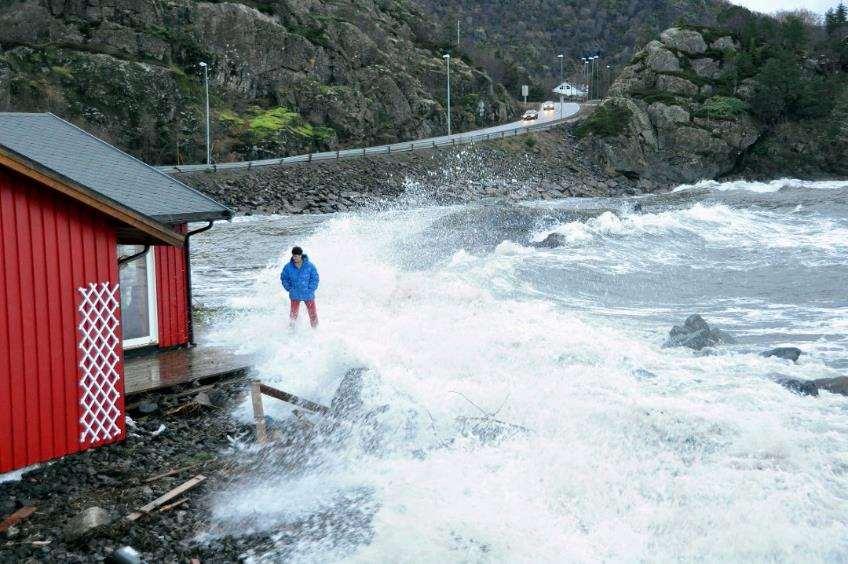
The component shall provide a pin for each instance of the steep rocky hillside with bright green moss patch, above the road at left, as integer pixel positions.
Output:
(285, 76)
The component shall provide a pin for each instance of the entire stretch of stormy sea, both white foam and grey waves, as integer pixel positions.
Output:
(626, 451)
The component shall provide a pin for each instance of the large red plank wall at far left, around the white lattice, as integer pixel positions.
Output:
(50, 247)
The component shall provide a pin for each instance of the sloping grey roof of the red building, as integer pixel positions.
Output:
(63, 148)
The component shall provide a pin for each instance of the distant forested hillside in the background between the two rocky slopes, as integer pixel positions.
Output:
(518, 42)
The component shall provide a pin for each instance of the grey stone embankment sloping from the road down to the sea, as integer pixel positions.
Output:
(546, 165)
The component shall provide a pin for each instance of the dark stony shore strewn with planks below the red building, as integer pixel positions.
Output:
(82, 501)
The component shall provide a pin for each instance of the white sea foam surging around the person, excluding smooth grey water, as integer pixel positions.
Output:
(634, 452)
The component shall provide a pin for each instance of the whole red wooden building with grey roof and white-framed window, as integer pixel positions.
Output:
(93, 260)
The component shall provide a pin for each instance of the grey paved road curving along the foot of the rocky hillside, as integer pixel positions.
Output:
(546, 119)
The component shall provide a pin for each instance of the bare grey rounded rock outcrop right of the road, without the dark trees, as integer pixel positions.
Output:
(677, 112)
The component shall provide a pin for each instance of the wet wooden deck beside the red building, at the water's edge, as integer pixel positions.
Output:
(158, 370)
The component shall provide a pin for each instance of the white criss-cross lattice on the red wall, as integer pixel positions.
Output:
(99, 377)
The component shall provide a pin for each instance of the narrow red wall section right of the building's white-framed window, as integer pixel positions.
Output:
(172, 295)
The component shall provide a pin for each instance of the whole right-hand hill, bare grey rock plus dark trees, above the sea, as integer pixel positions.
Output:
(767, 99)
